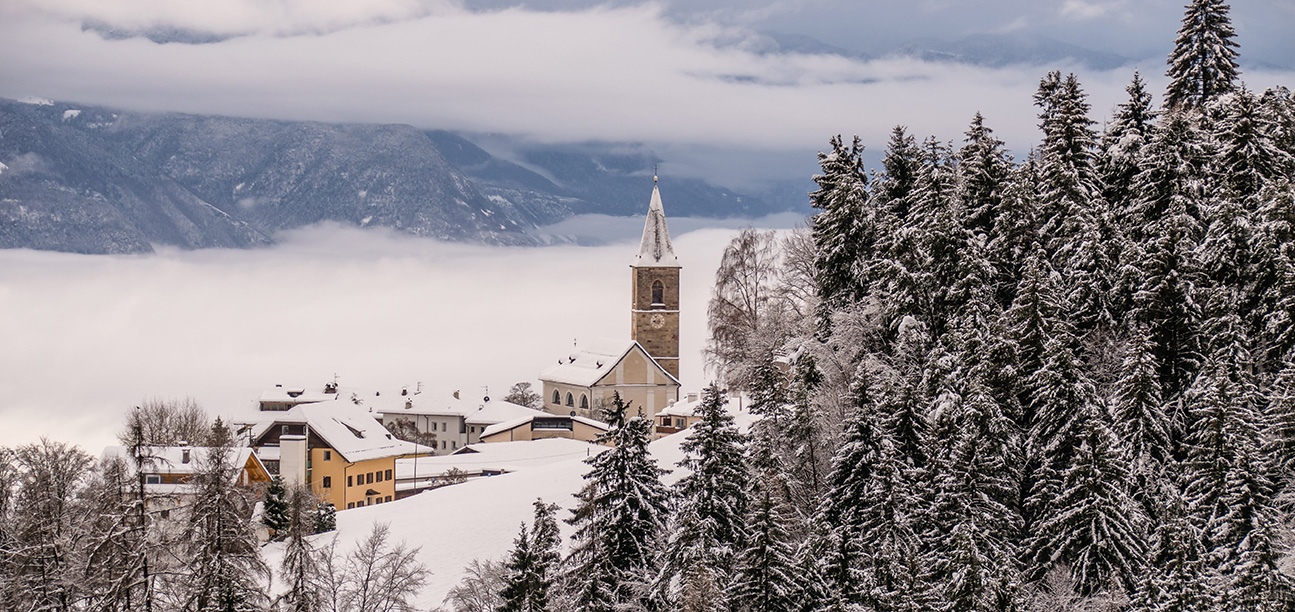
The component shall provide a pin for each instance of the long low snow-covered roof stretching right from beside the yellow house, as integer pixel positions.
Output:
(499, 457)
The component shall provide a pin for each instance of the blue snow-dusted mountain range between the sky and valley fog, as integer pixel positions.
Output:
(95, 180)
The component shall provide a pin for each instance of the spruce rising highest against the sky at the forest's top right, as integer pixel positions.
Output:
(1204, 61)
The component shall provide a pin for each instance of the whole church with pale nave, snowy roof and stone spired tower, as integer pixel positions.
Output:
(646, 368)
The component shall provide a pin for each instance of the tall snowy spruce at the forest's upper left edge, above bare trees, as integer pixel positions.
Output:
(840, 232)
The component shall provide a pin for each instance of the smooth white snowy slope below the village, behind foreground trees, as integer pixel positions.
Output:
(477, 519)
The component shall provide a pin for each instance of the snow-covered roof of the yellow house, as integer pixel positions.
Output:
(345, 428)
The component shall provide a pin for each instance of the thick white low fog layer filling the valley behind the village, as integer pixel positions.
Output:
(90, 337)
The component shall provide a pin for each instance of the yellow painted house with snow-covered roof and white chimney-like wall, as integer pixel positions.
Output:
(344, 454)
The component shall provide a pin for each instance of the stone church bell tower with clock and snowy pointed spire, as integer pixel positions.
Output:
(655, 307)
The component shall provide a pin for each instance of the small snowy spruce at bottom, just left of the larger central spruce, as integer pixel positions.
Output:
(530, 567)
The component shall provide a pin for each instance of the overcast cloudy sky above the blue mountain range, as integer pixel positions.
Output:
(674, 74)
